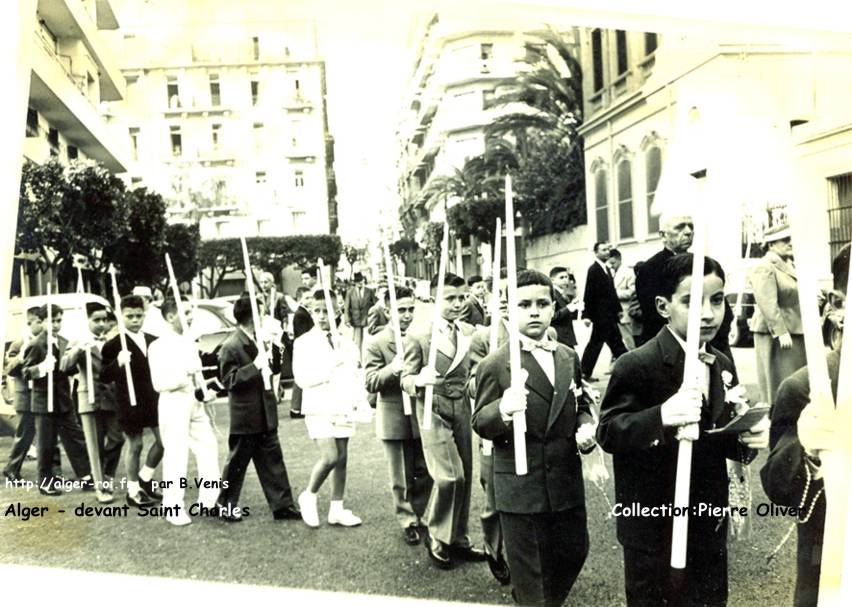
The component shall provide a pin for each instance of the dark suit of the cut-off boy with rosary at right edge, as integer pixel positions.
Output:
(784, 477)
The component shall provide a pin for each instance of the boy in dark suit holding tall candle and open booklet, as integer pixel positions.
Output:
(645, 405)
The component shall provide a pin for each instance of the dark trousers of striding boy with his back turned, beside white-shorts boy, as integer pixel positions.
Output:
(264, 450)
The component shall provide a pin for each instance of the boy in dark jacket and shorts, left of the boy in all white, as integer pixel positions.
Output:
(134, 419)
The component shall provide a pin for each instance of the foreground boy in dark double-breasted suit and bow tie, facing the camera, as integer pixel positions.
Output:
(542, 513)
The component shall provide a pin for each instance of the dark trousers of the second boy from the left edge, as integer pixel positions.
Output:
(64, 425)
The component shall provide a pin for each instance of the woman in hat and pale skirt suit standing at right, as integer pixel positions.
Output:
(777, 322)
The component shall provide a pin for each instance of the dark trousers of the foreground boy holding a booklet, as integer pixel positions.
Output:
(649, 580)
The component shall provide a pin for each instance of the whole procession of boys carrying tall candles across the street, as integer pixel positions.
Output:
(497, 372)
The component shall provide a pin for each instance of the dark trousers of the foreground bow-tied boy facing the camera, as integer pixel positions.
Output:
(545, 552)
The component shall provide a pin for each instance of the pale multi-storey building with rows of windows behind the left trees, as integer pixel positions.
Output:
(229, 124)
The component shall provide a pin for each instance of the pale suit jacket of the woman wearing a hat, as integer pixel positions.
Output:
(776, 295)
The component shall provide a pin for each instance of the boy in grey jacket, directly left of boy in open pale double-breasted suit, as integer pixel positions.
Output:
(399, 433)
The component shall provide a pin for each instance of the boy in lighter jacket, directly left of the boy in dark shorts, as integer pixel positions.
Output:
(103, 434)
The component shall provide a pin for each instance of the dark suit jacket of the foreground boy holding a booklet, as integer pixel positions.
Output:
(645, 453)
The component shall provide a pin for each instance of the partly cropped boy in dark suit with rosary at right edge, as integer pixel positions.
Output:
(792, 475)
